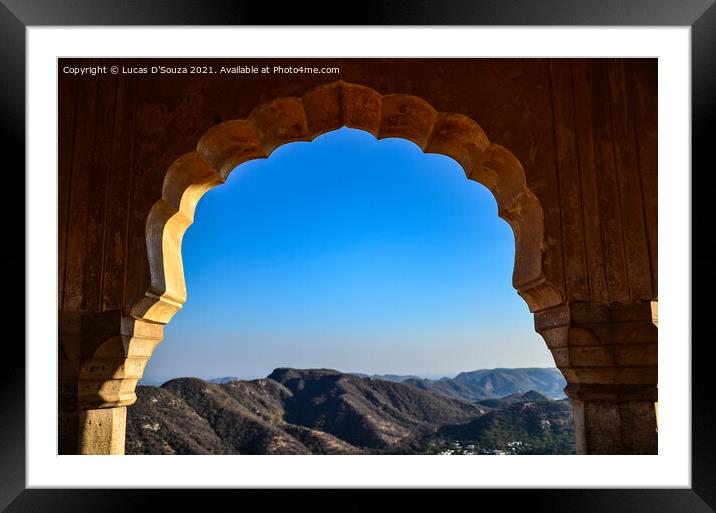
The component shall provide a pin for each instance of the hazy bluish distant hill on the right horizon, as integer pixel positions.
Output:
(495, 383)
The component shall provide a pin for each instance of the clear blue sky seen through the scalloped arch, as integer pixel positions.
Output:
(353, 254)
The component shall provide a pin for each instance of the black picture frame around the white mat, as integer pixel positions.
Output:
(17, 15)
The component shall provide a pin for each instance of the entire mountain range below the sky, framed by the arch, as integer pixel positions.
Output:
(323, 411)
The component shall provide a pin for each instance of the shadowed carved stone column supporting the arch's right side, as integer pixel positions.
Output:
(608, 355)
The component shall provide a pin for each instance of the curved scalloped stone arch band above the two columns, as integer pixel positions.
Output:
(329, 107)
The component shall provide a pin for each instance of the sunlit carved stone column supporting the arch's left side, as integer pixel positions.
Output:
(101, 358)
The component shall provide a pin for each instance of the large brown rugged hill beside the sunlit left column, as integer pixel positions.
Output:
(293, 411)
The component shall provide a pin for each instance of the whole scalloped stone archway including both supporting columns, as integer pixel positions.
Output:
(611, 383)
